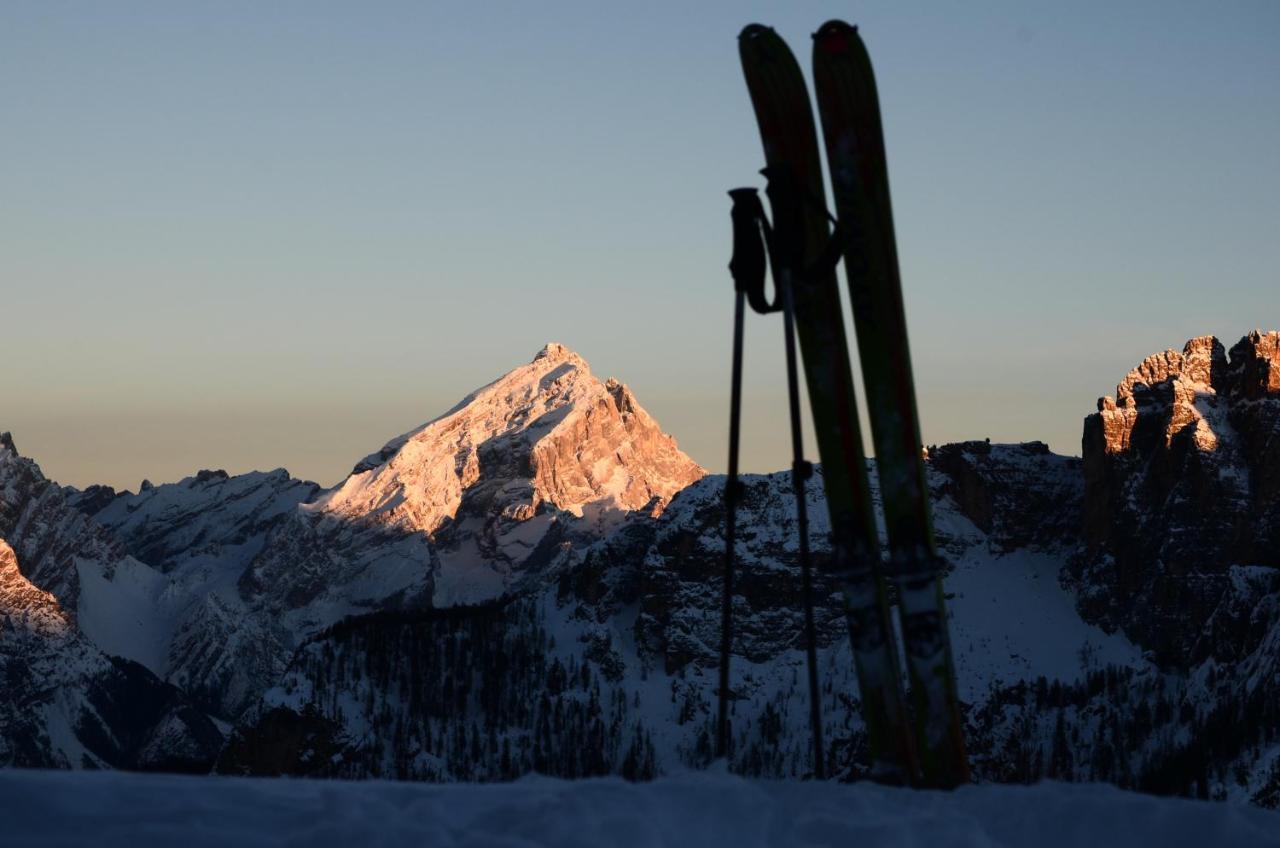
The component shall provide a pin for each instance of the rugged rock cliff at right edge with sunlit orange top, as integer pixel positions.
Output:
(1181, 473)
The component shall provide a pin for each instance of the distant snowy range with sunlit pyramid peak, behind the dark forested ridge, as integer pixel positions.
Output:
(227, 576)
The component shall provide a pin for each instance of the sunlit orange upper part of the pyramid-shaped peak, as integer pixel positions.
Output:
(546, 436)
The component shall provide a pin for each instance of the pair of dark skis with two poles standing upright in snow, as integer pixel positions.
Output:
(915, 736)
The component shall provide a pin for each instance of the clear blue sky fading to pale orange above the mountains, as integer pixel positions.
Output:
(249, 236)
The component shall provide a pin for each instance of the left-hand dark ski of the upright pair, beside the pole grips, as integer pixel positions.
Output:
(801, 241)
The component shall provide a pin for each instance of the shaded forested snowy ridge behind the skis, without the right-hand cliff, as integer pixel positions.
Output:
(621, 649)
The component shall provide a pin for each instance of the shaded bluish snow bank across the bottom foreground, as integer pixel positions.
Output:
(694, 809)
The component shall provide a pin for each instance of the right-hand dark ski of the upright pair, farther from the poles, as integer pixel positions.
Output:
(849, 107)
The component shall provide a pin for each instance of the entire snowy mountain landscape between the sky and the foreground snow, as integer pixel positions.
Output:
(532, 583)
